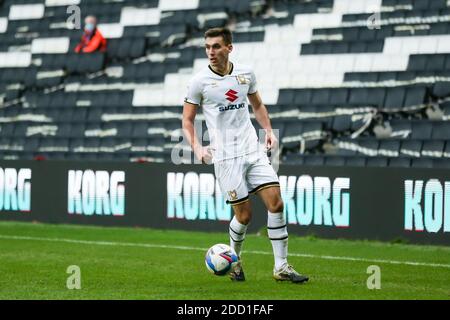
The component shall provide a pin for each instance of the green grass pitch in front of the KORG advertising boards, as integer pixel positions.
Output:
(134, 263)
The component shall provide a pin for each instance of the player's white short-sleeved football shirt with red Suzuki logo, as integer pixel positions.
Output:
(224, 102)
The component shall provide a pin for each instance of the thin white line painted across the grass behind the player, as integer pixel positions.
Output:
(162, 246)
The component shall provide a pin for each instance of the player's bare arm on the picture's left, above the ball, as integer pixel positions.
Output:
(189, 113)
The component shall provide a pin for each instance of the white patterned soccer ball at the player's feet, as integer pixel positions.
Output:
(220, 259)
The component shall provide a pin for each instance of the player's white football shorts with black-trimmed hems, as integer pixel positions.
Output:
(241, 176)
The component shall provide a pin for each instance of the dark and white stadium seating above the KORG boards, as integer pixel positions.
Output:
(355, 83)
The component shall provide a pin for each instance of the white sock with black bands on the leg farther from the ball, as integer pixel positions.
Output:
(278, 235)
